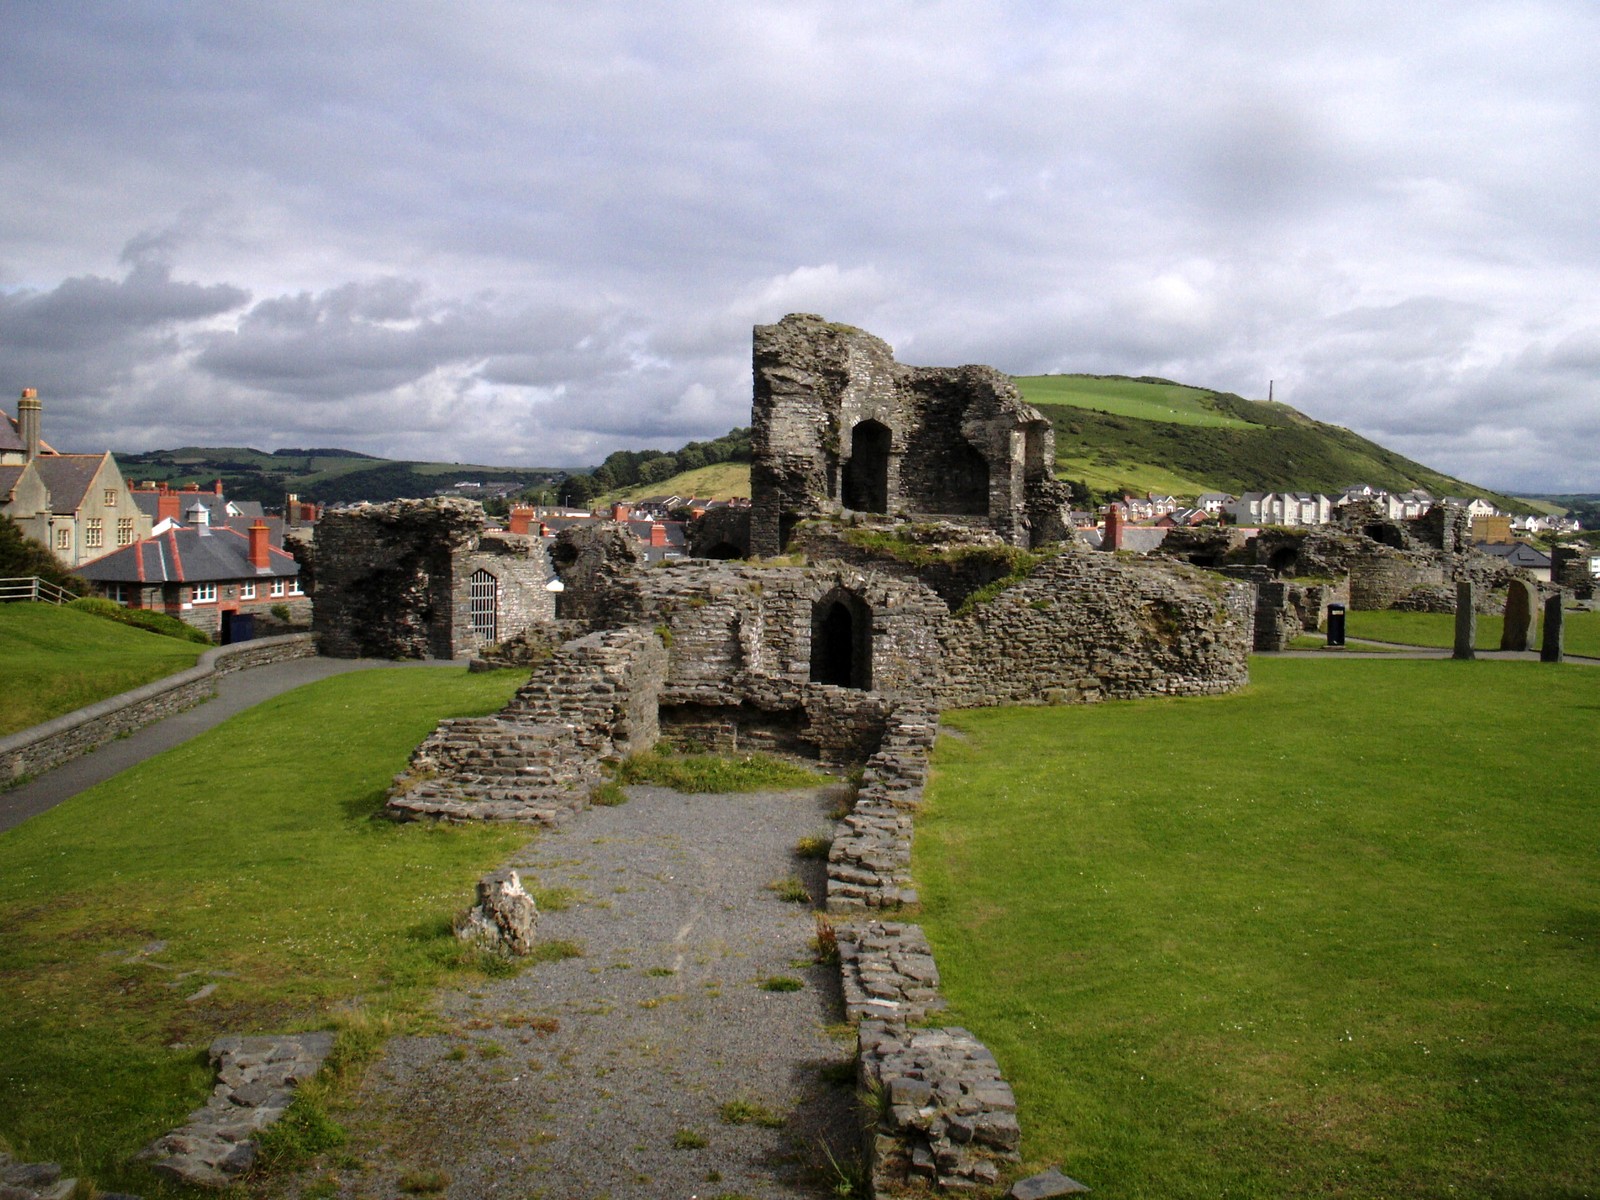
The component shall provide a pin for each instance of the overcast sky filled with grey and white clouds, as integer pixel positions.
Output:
(538, 233)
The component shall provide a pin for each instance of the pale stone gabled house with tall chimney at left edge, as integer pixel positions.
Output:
(76, 505)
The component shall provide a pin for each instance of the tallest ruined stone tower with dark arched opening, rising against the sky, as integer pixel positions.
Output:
(838, 425)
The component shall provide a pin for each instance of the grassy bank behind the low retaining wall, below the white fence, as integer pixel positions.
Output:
(58, 660)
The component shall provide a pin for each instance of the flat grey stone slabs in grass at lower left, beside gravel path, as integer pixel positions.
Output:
(257, 1081)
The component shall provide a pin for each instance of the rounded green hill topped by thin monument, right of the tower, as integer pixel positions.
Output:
(1156, 436)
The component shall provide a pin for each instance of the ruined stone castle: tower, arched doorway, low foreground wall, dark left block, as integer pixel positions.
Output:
(935, 575)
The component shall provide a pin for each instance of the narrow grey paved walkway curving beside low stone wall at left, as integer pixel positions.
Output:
(236, 692)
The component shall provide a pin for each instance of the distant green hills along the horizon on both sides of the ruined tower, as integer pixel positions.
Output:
(1113, 434)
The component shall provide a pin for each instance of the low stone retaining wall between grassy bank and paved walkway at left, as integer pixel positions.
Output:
(44, 748)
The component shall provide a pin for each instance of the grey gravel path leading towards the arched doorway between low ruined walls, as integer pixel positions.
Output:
(606, 1074)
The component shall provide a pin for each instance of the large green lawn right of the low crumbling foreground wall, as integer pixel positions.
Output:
(1335, 935)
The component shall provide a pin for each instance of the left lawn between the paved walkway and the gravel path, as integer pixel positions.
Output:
(246, 858)
